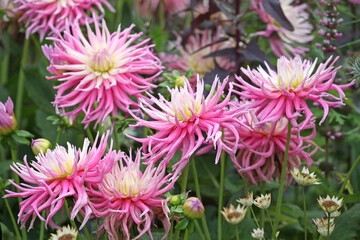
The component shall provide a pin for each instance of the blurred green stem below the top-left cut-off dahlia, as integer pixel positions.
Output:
(21, 81)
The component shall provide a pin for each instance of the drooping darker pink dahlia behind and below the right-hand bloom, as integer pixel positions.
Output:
(262, 147)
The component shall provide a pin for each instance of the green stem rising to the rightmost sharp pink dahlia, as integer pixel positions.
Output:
(282, 181)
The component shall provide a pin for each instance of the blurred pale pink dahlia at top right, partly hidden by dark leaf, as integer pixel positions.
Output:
(282, 40)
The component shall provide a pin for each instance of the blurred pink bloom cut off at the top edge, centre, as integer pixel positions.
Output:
(169, 6)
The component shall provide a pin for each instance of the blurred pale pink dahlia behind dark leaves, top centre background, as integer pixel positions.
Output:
(192, 54)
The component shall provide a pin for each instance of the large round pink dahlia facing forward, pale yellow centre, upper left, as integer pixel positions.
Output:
(99, 74)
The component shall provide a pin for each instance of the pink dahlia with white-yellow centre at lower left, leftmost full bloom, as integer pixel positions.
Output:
(58, 174)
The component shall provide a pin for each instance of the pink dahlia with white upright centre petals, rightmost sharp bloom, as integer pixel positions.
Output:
(283, 93)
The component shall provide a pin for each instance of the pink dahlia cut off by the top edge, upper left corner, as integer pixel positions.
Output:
(50, 15)
